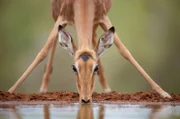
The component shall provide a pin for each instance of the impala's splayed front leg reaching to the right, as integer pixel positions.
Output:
(106, 24)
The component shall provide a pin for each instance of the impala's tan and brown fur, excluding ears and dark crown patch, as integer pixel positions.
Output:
(84, 15)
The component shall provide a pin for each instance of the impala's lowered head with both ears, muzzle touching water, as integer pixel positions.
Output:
(85, 64)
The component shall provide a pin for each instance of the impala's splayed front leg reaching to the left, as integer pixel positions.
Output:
(41, 55)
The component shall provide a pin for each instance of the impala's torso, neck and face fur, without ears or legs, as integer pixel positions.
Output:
(83, 15)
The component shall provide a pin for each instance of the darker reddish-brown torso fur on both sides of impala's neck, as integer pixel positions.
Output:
(66, 8)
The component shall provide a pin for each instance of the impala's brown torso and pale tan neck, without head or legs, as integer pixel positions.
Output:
(82, 14)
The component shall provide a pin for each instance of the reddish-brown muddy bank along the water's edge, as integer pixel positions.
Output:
(97, 97)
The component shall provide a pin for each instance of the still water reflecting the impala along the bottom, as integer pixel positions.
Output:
(94, 111)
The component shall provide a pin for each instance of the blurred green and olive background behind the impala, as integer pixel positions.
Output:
(149, 28)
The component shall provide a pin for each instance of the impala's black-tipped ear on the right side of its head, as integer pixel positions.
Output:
(105, 41)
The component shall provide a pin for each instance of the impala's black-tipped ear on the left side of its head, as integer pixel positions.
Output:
(66, 41)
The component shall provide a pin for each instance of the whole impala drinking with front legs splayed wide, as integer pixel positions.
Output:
(85, 16)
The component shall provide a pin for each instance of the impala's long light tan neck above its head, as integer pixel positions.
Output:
(83, 17)
